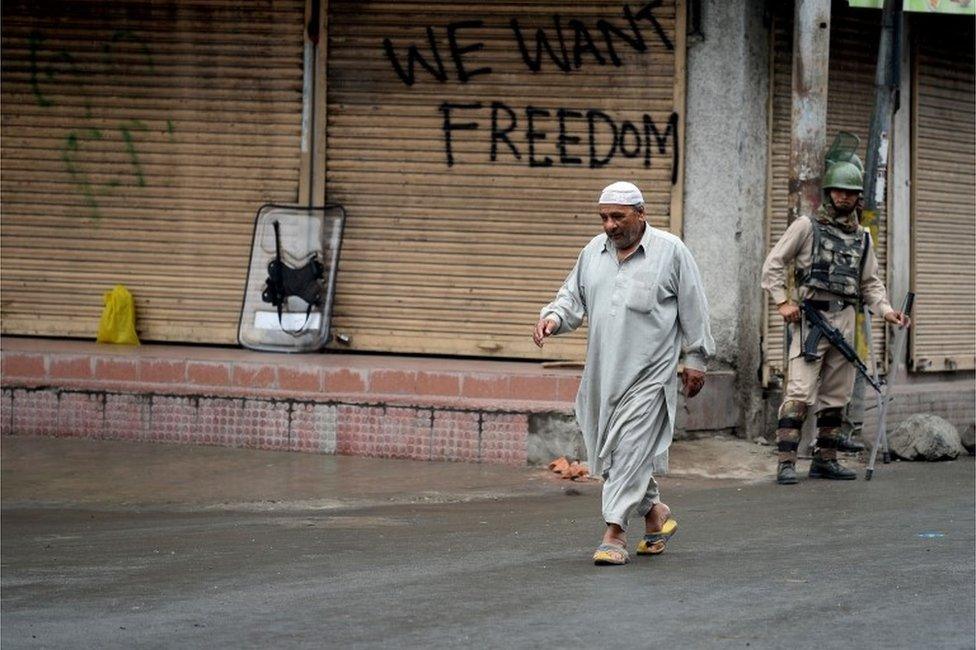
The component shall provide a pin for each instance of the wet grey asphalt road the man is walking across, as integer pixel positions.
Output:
(113, 544)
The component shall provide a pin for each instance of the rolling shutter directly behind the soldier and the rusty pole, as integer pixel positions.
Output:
(853, 47)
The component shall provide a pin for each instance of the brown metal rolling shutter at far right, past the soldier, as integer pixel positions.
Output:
(944, 184)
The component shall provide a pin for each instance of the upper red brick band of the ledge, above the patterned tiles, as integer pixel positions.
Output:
(189, 370)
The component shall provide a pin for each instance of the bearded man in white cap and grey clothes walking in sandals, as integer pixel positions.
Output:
(640, 290)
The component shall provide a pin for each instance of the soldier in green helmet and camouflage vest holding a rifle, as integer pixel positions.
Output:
(836, 268)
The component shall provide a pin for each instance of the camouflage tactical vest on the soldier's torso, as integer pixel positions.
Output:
(838, 259)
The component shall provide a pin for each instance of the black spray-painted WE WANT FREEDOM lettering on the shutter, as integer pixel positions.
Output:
(543, 136)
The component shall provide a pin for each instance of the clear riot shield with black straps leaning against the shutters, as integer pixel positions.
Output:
(287, 305)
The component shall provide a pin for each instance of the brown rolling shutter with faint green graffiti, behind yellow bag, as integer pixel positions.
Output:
(139, 138)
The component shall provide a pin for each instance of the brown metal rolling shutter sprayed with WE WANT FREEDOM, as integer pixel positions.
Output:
(458, 259)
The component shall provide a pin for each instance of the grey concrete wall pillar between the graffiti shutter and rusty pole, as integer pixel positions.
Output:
(725, 181)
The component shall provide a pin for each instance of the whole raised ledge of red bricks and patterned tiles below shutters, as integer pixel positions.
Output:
(370, 405)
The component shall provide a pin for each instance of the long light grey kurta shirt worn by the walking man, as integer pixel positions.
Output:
(641, 313)
